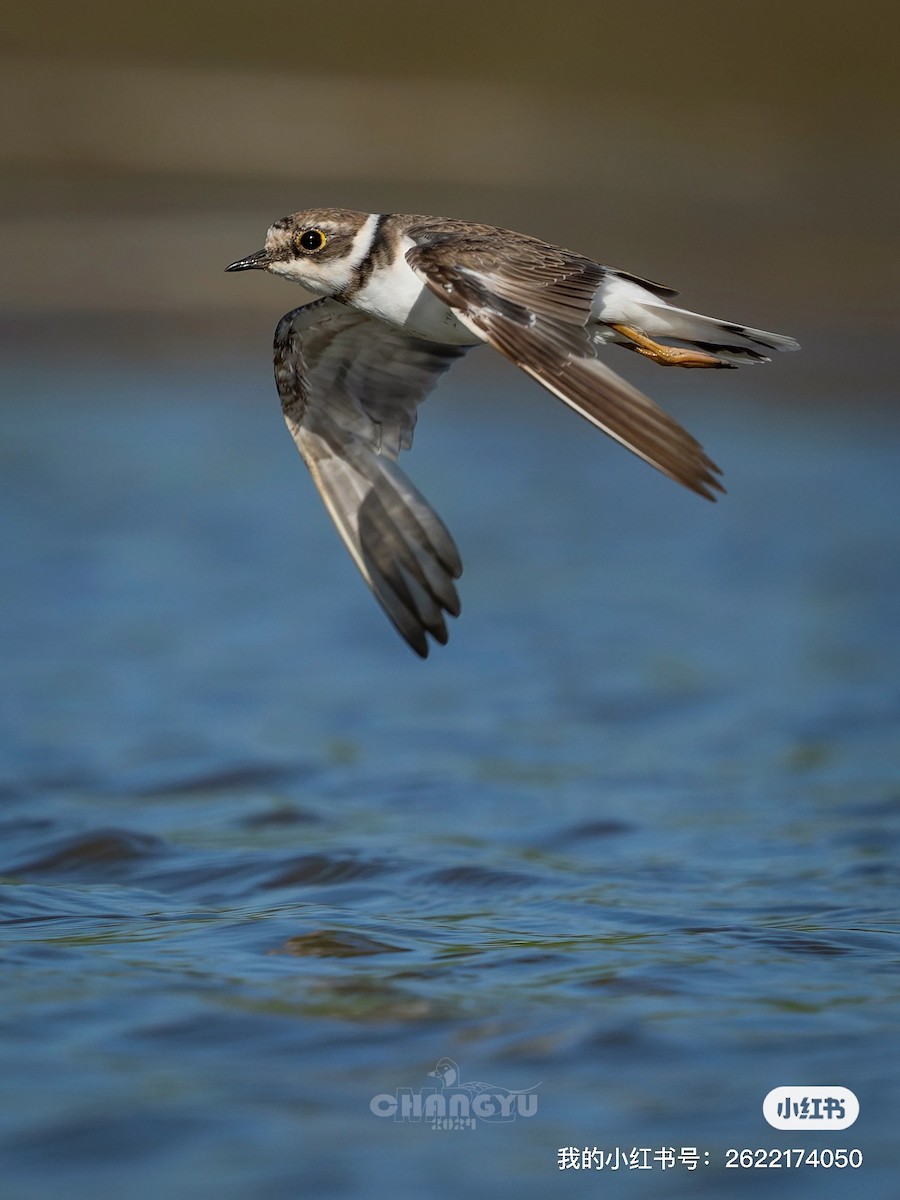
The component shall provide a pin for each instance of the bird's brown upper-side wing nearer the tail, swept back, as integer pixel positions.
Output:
(533, 305)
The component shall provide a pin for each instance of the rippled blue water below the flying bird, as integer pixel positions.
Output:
(629, 841)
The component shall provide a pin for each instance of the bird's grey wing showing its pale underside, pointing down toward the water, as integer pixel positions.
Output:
(350, 387)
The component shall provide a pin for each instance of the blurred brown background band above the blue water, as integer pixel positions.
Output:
(746, 154)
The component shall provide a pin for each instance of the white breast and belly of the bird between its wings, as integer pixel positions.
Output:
(400, 298)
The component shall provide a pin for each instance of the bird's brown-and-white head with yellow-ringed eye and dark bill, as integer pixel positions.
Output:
(317, 249)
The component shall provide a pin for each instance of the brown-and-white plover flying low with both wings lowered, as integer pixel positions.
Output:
(401, 298)
